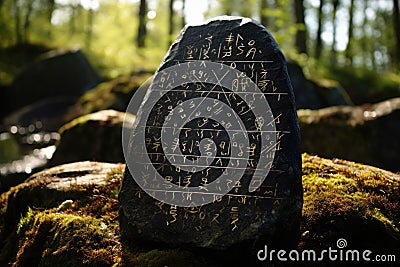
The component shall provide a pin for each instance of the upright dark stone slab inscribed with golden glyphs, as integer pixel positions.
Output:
(252, 177)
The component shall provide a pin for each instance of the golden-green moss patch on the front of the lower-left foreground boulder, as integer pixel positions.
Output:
(52, 239)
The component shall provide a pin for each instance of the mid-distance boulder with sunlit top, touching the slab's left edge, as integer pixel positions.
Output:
(96, 136)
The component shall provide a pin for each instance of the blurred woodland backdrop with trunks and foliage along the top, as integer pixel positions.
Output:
(372, 40)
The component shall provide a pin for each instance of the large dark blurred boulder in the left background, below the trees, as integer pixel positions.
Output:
(56, 74)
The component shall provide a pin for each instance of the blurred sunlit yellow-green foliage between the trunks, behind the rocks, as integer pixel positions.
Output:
(106, 31)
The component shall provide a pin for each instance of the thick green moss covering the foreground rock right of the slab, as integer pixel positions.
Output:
(344, 199)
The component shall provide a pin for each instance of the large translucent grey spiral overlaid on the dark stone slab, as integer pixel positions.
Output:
(201, 128)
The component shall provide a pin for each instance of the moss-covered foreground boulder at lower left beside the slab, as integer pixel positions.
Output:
(64, 216)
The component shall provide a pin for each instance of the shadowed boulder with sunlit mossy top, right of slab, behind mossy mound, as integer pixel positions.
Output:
(368, 134)
